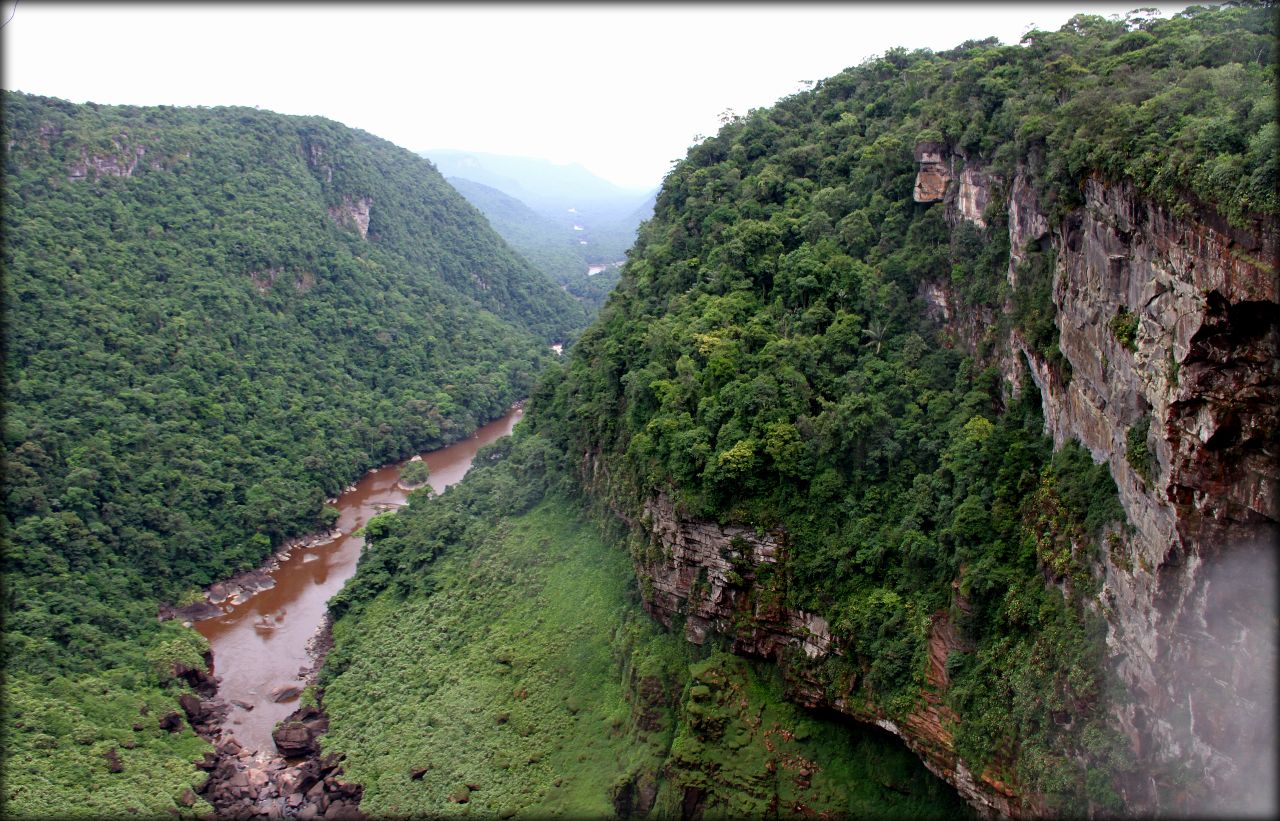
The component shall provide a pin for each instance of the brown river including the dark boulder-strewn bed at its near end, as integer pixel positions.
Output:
(268, 633)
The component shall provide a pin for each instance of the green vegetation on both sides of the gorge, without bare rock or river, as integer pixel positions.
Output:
(217, 318)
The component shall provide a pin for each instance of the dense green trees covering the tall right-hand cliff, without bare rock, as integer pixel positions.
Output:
(766, 358)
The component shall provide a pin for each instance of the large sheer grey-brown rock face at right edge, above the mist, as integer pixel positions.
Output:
(1190, 600)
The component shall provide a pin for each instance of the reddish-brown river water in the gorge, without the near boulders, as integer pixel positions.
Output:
(263, 644)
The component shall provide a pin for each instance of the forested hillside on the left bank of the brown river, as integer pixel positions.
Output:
(214, 321)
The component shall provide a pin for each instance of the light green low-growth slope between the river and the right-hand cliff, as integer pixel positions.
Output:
(492, 659)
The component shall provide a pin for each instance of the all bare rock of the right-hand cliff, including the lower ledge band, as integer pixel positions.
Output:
(1188, 596)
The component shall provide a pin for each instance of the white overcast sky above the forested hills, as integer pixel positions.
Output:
(621, 89)
